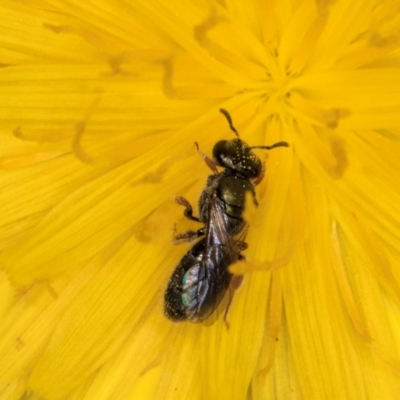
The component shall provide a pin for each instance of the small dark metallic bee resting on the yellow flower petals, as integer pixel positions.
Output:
(201, 279)
